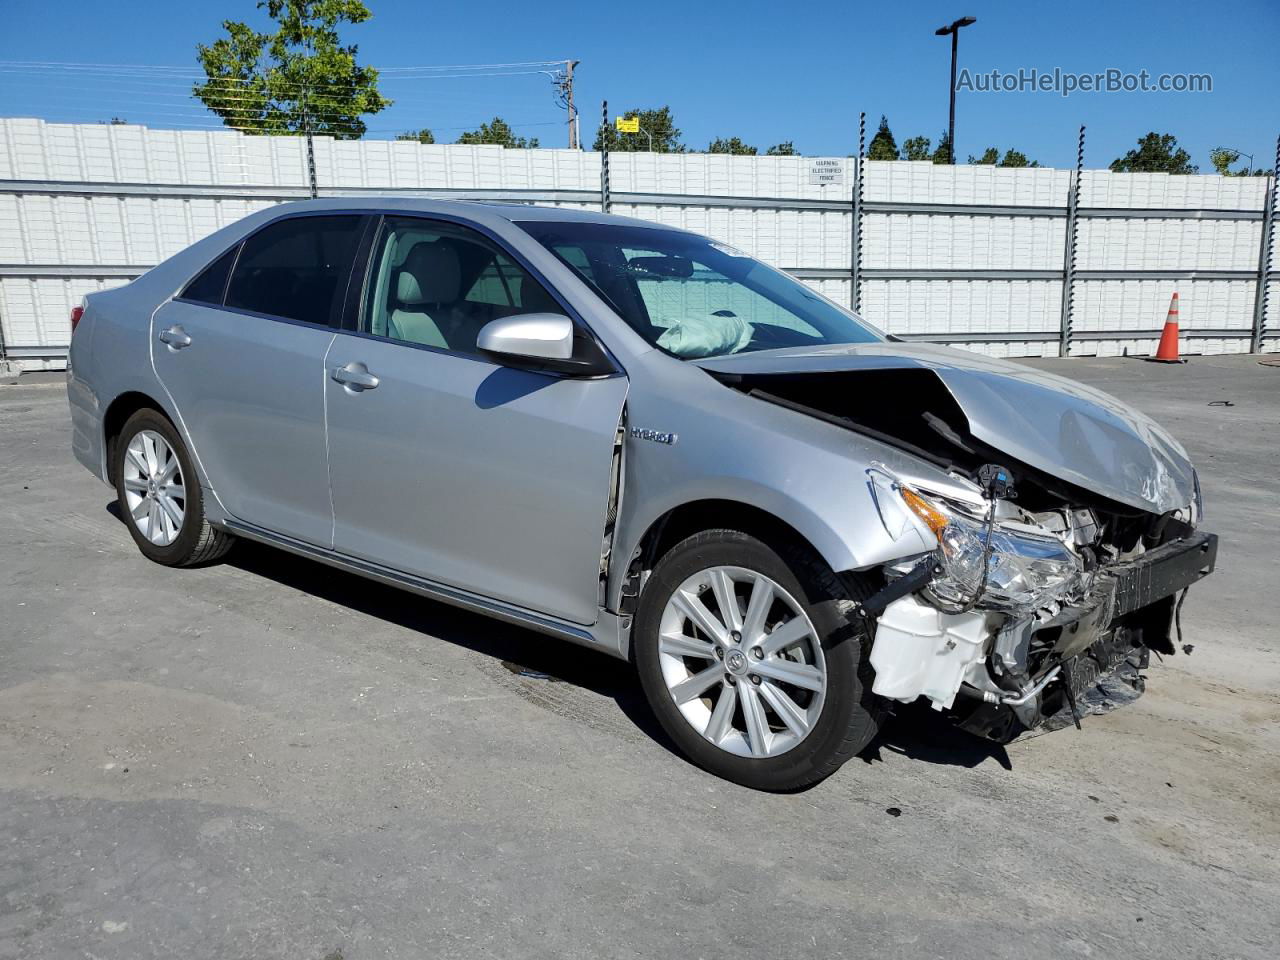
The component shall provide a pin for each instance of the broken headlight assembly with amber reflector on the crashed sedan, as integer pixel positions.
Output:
(1023, 573)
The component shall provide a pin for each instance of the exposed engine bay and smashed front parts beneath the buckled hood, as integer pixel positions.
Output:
(1037, 591)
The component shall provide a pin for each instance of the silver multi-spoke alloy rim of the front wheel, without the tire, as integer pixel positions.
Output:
(743, 662)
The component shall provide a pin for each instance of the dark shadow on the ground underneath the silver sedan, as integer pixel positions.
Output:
(913, 732)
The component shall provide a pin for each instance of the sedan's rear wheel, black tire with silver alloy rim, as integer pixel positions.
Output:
(159, 495)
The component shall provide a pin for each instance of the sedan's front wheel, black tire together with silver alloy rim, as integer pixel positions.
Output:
(753, 662)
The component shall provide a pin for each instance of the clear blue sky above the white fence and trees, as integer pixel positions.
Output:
(761, 71)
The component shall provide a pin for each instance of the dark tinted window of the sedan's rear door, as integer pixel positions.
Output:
(296, 269)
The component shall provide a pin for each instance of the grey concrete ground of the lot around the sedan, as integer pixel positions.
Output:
(273, 760)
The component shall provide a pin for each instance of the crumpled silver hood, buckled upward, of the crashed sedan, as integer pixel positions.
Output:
(1060, 427)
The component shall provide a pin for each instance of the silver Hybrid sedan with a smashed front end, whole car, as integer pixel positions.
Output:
(647, 442)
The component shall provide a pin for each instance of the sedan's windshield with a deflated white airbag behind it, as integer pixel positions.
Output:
(694, 298)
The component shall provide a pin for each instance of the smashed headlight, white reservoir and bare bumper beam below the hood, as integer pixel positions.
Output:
(1021, 619)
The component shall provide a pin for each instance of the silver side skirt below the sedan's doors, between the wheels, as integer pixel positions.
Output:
(606, 636)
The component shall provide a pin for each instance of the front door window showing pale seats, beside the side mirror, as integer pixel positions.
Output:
(437, 285)
